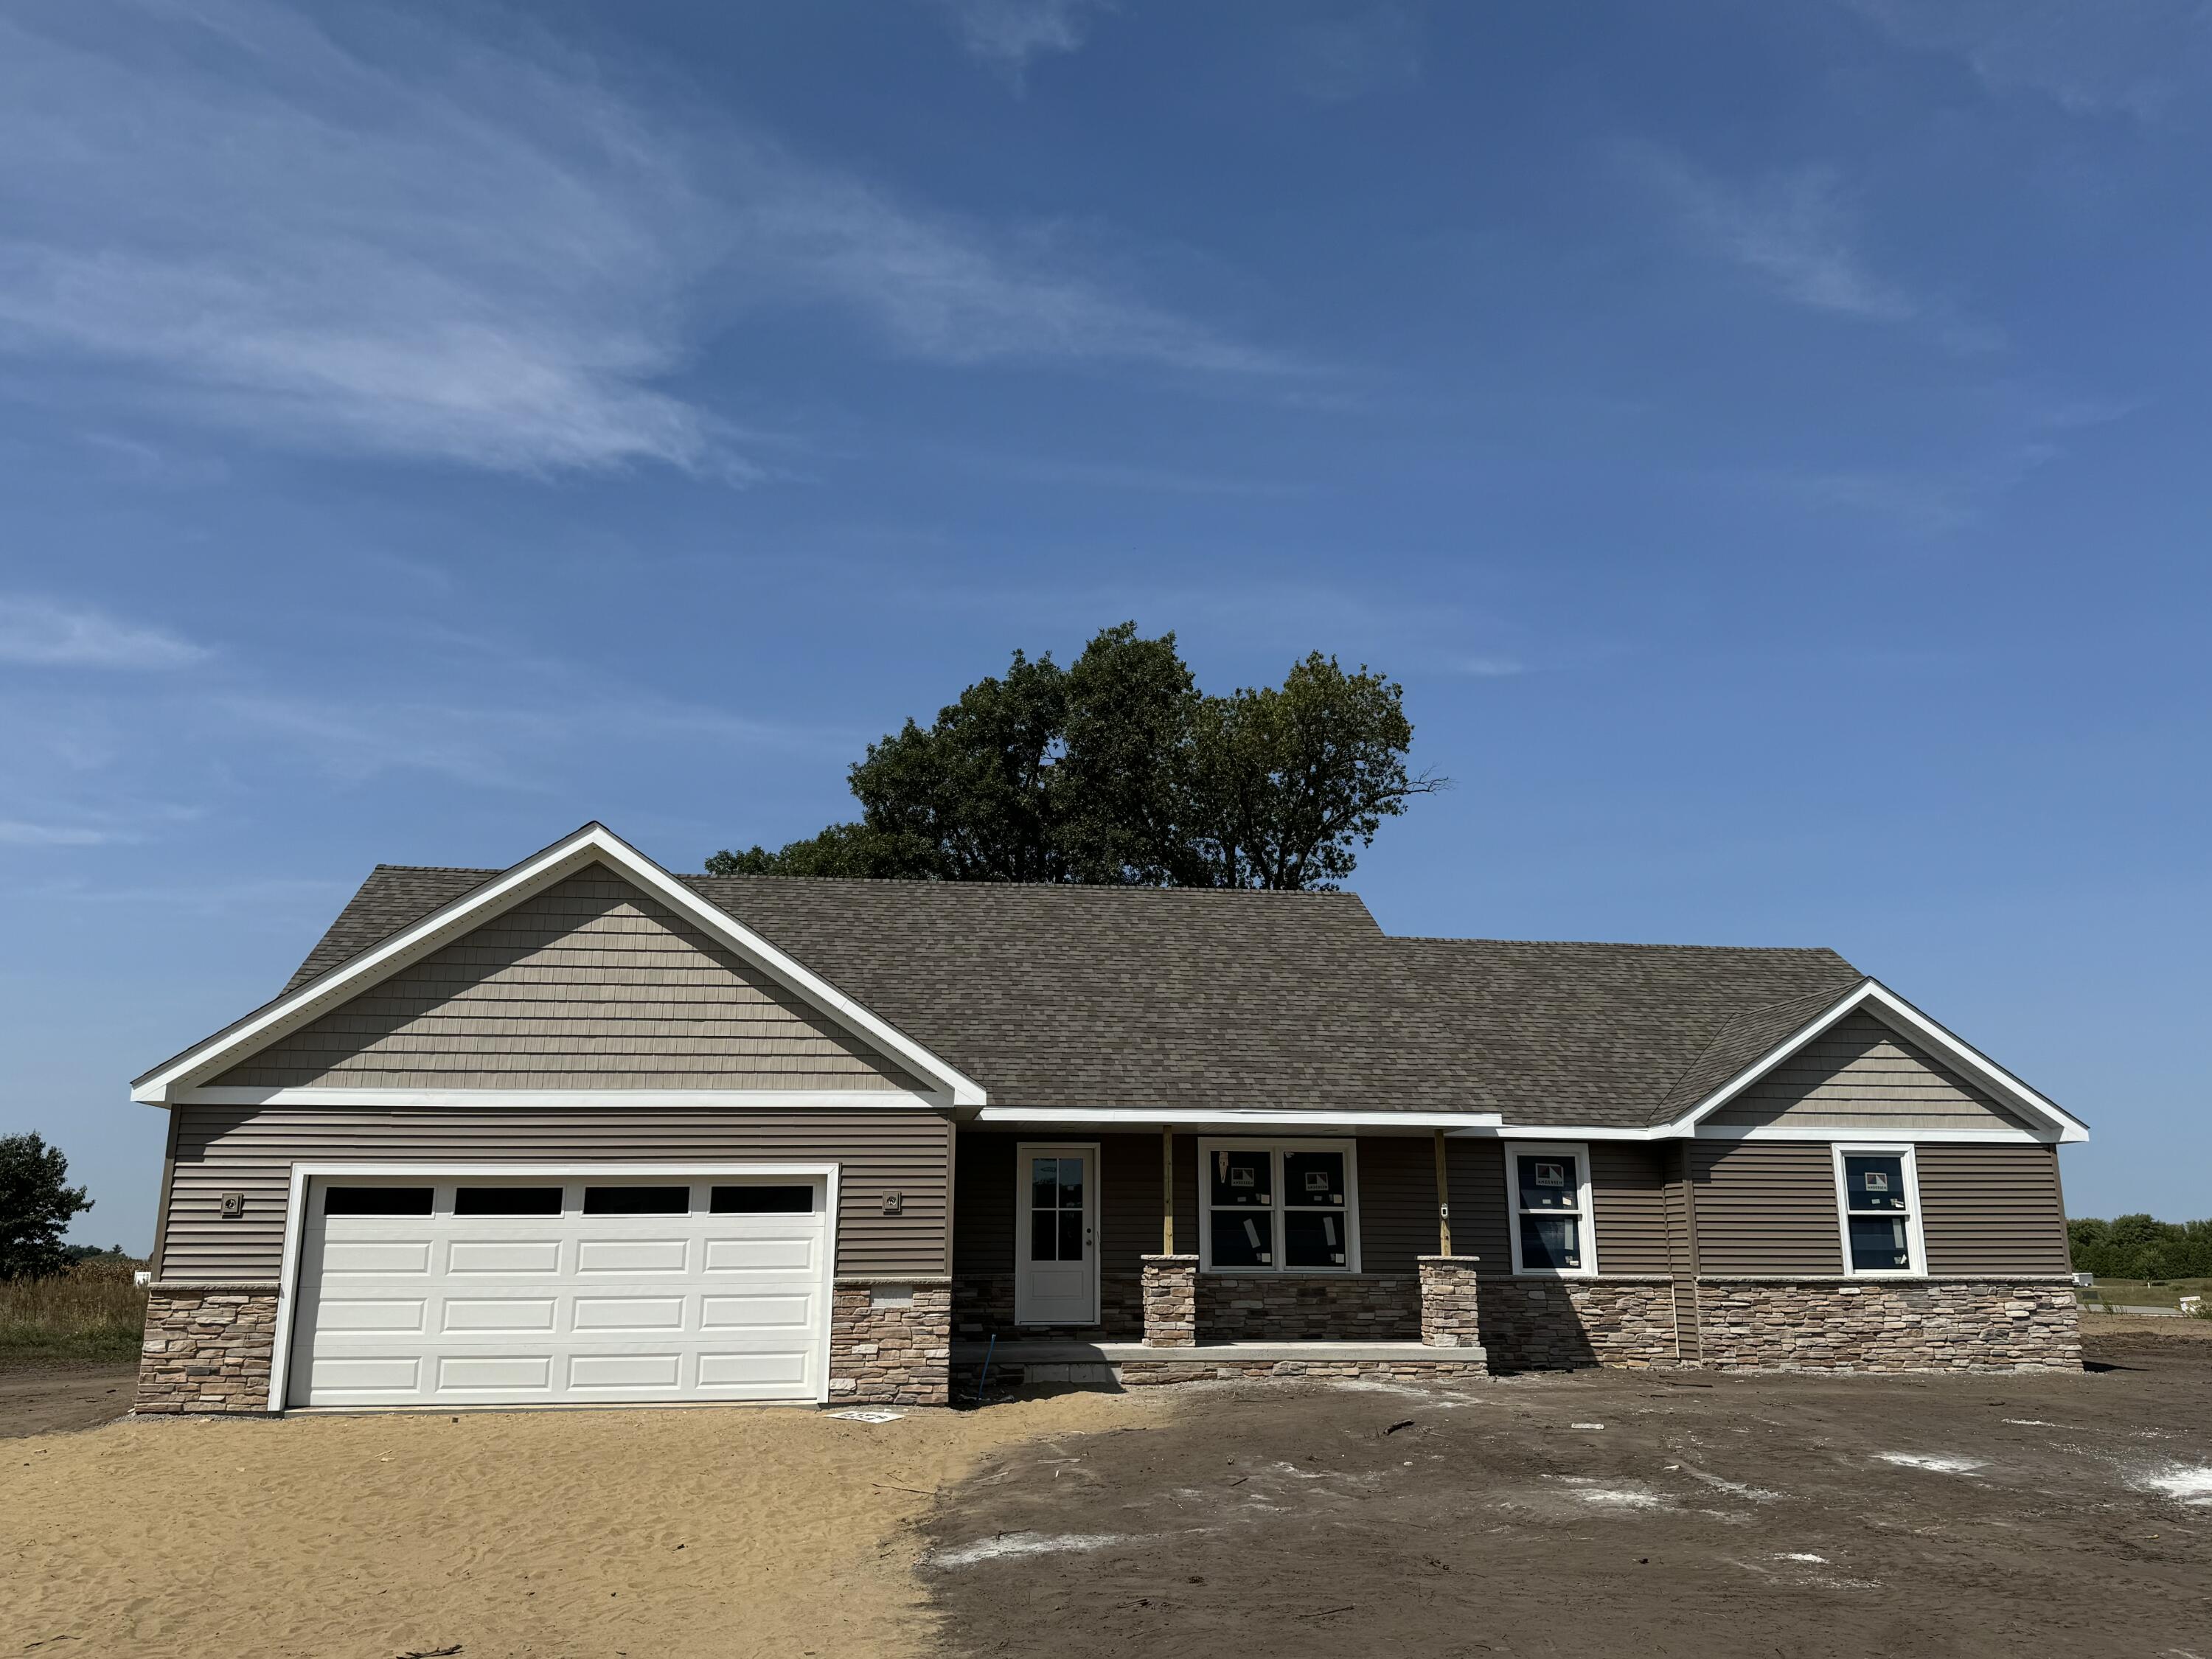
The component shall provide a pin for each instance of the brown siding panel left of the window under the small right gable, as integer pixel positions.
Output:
(1766, 1209)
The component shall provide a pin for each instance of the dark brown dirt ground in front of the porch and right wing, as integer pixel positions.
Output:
(1611, 1514)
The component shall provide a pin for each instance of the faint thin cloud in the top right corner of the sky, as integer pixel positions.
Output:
(2089, 56)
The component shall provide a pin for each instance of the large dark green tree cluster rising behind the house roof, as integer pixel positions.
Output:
(1123, 771)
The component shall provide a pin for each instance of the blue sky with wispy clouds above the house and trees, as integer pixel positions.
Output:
(1764, 439)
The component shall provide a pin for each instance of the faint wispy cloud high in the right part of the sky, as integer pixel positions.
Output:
(1797, 233)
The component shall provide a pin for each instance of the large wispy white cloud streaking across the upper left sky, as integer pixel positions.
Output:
(468, 253)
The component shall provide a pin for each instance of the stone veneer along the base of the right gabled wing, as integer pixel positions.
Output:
(1890, 1326)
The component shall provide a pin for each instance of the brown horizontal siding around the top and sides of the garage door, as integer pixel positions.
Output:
(251, 1149)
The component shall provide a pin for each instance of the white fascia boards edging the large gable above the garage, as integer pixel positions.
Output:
(592, 844)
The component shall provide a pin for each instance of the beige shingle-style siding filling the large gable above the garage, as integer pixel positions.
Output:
(587, 985)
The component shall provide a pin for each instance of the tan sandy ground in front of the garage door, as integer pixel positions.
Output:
(492, 1536)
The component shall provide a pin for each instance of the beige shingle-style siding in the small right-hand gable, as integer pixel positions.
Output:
(1859, 1074)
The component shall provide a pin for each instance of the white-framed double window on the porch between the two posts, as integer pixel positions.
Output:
(1280, 1209)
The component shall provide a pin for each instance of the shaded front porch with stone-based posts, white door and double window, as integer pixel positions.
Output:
(1187, 1253)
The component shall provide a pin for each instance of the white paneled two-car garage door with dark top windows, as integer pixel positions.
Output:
(561, 1291)
